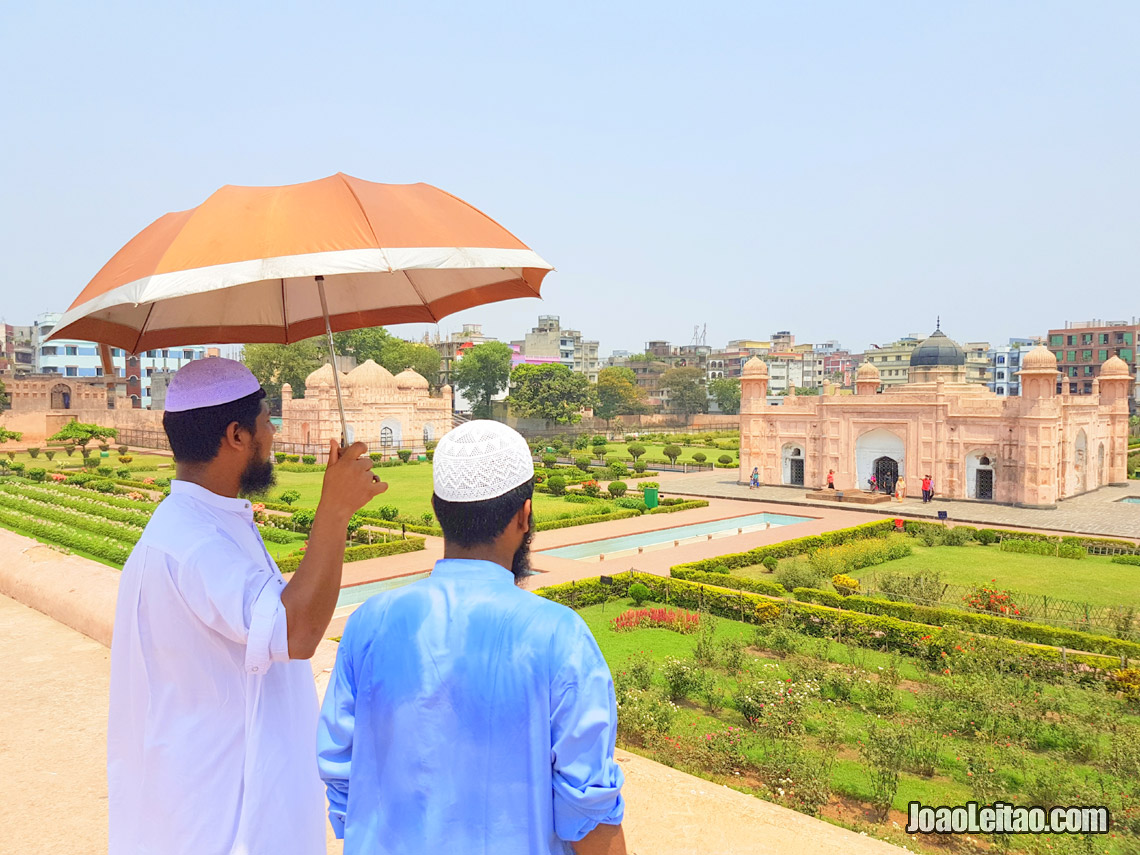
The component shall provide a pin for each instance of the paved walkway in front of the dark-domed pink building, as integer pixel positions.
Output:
(1100, 512)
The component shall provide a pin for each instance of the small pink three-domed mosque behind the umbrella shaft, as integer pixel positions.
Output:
(386, 411)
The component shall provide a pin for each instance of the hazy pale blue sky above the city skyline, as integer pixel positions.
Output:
(843, 170)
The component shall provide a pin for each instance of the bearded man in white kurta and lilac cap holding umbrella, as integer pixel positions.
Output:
(214, 710)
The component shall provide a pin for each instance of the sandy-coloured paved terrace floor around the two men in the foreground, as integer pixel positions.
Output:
(54, 792)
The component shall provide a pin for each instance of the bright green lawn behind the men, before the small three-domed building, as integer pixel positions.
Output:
(410, 490)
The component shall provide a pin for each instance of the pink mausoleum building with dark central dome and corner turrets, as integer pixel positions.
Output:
(1032, 451)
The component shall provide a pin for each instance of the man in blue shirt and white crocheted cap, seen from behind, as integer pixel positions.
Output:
(467, 716)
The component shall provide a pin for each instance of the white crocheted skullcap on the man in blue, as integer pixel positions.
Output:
(481, 461)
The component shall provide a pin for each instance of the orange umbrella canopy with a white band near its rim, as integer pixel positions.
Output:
(242, 266)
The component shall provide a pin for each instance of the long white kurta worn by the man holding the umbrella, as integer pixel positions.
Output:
(213, 729)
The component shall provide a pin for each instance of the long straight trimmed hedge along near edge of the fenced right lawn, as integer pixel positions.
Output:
(975, 622)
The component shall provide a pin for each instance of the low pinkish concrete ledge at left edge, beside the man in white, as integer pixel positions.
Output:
(77, 592)
